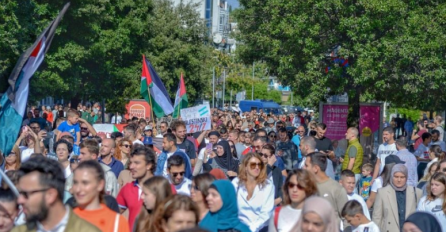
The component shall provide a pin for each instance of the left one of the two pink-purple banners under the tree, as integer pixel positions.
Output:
(335, 117)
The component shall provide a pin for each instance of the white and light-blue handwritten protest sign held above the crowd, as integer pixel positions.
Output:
(197, 118)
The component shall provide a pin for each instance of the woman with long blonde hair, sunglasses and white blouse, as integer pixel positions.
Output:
(255, 193)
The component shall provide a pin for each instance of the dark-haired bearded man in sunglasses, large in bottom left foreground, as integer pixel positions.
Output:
(41, 189)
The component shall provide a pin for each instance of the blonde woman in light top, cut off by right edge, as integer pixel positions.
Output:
(435, 200)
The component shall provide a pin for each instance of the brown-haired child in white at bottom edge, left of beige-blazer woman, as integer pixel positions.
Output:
(352, 212)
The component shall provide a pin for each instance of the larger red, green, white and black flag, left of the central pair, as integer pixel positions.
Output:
(153, 90)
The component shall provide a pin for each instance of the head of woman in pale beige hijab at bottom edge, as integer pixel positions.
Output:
(317, 215)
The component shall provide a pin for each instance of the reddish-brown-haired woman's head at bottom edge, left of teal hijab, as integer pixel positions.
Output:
(176, 213)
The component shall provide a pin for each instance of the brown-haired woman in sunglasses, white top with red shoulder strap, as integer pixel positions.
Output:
(299, 186)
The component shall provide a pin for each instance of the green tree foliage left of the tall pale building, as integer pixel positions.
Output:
(98, 49)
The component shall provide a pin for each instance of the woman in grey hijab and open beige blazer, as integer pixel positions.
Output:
(395, 202)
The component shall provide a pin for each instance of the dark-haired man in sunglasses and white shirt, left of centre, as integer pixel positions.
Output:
(177, 169)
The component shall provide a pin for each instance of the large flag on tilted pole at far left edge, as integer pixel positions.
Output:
(13, 101)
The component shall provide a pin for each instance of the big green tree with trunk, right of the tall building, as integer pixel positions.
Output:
(394, 48)
